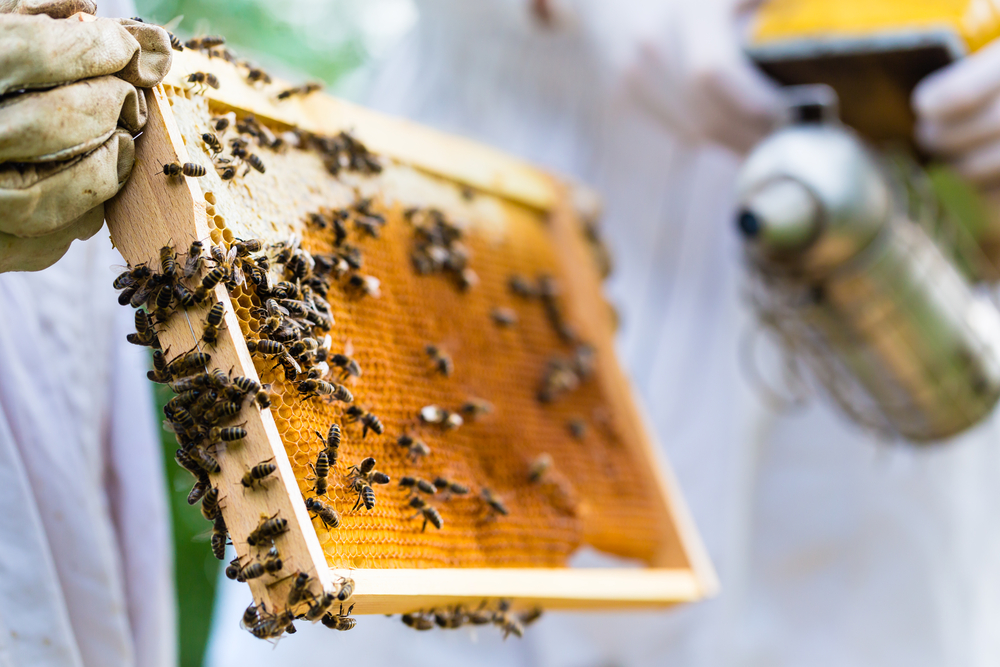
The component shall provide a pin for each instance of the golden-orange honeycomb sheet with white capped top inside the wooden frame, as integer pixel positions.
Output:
(593, 493)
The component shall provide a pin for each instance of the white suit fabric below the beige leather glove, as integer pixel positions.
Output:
(85, 553)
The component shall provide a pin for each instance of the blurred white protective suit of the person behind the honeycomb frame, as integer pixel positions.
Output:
(832, 548)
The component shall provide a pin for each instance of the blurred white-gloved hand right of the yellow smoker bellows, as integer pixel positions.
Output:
(958, 115)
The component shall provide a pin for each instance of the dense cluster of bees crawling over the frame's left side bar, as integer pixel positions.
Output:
(208, 402)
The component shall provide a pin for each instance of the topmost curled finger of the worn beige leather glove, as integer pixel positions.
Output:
(40, 52)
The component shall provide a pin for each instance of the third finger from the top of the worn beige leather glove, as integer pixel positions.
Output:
(38, 199)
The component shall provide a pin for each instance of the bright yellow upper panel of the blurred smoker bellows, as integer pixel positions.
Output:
(975, 22)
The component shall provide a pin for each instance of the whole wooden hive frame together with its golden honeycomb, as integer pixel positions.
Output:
(605, 487)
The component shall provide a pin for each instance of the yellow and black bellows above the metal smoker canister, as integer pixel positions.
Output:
(871, 52)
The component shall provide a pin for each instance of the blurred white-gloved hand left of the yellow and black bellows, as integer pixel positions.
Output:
(693, 75)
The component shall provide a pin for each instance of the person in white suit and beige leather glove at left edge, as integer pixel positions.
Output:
(85, 553)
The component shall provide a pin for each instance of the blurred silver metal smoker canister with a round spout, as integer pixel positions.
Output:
(869, 296)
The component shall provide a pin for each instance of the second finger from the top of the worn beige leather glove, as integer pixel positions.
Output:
(69, 120)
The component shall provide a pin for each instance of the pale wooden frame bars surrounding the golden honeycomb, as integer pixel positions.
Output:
(146, 215)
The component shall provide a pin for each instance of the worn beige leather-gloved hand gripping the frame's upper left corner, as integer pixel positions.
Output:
(69, 107)
